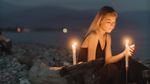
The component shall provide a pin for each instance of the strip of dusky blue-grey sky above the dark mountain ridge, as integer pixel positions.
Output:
(125, 5)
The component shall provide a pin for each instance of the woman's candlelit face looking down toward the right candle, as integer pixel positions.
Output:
(108, 22)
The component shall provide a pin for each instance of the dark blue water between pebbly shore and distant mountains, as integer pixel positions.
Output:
(60, 39)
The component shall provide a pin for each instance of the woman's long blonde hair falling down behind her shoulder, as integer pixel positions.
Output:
(99, 16)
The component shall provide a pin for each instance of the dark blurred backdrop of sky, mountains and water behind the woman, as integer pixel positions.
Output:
(45, 19)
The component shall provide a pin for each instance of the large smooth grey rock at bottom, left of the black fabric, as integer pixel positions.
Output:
(40, 73)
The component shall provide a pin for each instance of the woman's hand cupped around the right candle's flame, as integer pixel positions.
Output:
(129, 50)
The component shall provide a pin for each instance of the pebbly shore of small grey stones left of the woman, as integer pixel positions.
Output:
(22, 65)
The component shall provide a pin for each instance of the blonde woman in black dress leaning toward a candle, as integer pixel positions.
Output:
(97, 45)
